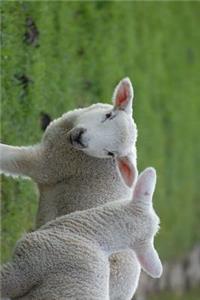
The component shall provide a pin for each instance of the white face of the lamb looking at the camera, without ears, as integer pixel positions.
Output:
(104, 131)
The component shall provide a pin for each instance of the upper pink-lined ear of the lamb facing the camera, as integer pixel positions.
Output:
(123, 96)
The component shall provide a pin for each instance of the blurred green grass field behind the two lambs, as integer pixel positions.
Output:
(84, 49)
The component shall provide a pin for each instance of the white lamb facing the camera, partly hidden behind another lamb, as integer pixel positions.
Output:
(74, 171)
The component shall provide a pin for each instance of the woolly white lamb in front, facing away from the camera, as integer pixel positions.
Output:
(68, 258)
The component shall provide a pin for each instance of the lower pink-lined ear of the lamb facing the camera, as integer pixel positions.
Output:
(127, 170)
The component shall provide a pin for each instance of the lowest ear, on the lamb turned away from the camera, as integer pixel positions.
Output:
(150, 261)
